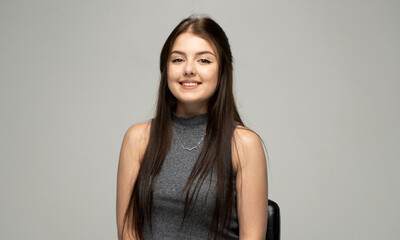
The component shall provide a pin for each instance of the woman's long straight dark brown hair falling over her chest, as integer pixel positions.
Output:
(216, 151)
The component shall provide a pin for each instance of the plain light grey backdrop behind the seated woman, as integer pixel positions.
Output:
(318, 80)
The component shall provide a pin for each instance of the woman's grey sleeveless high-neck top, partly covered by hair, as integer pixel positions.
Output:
(169, 201)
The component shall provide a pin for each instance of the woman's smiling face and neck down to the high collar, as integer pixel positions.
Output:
(192, 73)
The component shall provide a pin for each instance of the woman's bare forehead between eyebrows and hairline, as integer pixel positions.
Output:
(189, 42)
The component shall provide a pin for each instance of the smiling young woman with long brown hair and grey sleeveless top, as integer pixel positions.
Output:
(194, 171)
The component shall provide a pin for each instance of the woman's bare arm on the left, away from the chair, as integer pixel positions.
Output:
(133, 147)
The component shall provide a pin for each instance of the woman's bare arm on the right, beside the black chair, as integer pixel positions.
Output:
(251, 184)
